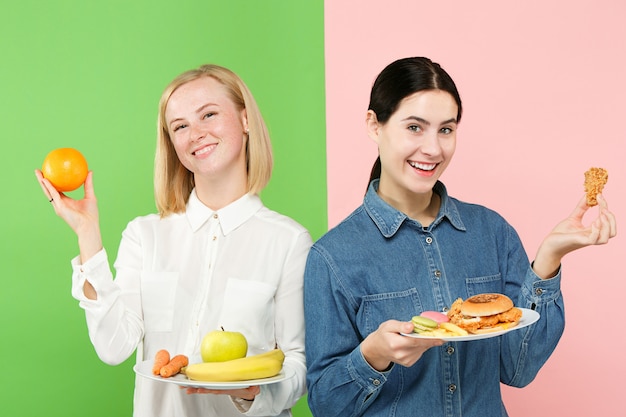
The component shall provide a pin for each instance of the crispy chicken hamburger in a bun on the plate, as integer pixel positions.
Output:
(484, 313)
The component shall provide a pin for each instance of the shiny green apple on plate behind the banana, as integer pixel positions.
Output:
(222, 345)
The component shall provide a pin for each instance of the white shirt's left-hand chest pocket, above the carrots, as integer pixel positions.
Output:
(158, 296)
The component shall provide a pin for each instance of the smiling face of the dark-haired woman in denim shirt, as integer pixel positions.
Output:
(415, 145)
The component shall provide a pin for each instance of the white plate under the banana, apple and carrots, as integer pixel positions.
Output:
(144, 369)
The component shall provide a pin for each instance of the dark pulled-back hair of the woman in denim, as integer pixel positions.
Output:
(399, 80)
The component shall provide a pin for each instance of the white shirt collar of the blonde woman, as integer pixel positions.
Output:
(230, 217)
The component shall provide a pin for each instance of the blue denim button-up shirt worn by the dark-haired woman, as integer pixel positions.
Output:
(377, 265)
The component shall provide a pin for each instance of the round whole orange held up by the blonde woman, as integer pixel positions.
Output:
(65, 168)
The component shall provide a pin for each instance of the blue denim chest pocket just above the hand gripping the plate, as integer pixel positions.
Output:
(378, 308)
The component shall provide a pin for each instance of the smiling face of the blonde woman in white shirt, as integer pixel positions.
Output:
(208, 132)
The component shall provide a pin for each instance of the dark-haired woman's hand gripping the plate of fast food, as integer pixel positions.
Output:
(387, 345)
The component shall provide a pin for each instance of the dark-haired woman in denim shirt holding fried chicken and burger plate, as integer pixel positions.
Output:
(410, 247)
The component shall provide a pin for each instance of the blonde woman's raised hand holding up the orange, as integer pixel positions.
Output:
(80, 215)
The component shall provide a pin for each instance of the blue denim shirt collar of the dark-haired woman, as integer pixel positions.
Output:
(388, 219)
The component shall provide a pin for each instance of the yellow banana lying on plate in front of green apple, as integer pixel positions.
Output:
(263, 365)
